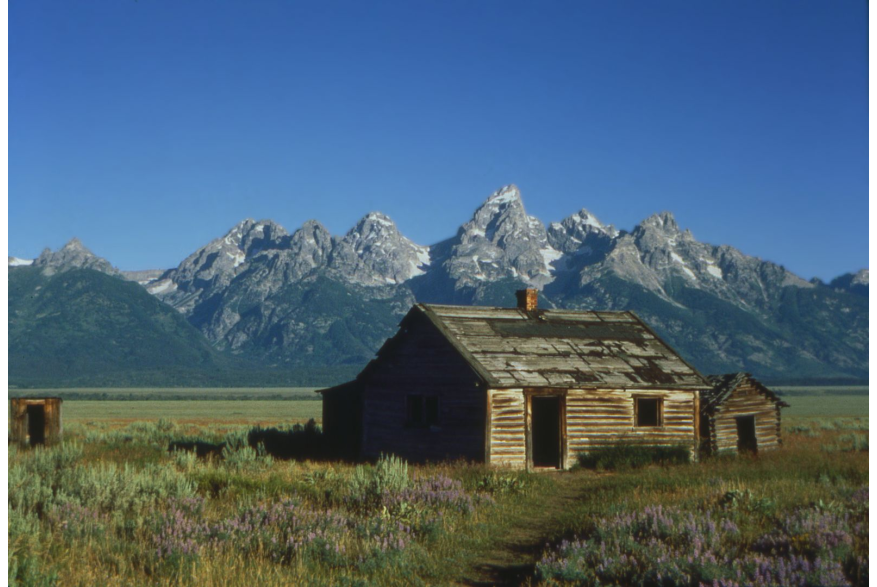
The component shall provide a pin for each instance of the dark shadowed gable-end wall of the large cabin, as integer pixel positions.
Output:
(421, 361)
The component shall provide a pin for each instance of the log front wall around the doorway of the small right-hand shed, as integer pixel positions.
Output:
(746, 401)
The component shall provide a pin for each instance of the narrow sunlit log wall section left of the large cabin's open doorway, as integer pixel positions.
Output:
(508, 429)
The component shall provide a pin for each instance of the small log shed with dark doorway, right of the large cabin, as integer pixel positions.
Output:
(740, 415)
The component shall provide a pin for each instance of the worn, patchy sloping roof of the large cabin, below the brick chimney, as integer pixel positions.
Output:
(512, 348)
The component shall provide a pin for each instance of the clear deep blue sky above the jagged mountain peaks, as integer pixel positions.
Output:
(148, 128)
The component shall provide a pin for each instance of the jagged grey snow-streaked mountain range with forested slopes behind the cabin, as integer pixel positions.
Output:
(311, 298)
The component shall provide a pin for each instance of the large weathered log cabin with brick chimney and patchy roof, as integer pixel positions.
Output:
(520, 388)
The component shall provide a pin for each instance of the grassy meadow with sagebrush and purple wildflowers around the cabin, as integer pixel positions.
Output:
(112, 506)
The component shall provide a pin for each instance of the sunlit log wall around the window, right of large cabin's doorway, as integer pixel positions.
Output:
(598, 419)
